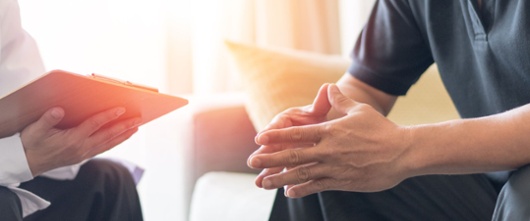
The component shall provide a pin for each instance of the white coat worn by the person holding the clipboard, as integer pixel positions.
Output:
(20, 63)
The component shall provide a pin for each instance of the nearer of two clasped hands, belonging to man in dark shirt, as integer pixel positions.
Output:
(362, 151)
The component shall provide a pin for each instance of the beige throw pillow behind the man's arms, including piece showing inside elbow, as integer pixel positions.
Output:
(276, 79)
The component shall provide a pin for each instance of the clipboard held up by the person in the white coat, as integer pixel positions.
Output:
(81, 96)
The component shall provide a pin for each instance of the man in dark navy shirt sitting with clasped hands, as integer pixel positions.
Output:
(358, 165)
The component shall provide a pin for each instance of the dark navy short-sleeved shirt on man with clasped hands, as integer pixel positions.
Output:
(483, 54)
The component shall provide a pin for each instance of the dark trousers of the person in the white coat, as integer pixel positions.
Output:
(102, 191)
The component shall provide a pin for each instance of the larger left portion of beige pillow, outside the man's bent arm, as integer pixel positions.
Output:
(276, 79)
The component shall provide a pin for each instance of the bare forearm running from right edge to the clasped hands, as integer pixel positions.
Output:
(497, 142)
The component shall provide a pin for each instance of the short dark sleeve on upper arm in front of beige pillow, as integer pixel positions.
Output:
(390, 53)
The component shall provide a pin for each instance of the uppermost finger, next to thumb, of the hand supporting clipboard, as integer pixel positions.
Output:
(94, 123)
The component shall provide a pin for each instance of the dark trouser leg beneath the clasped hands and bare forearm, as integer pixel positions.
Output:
(436, 197)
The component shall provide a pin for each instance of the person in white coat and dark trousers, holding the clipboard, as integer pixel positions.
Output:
(48, 173)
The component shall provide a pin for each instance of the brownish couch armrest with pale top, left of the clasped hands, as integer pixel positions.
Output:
(223, 136)
